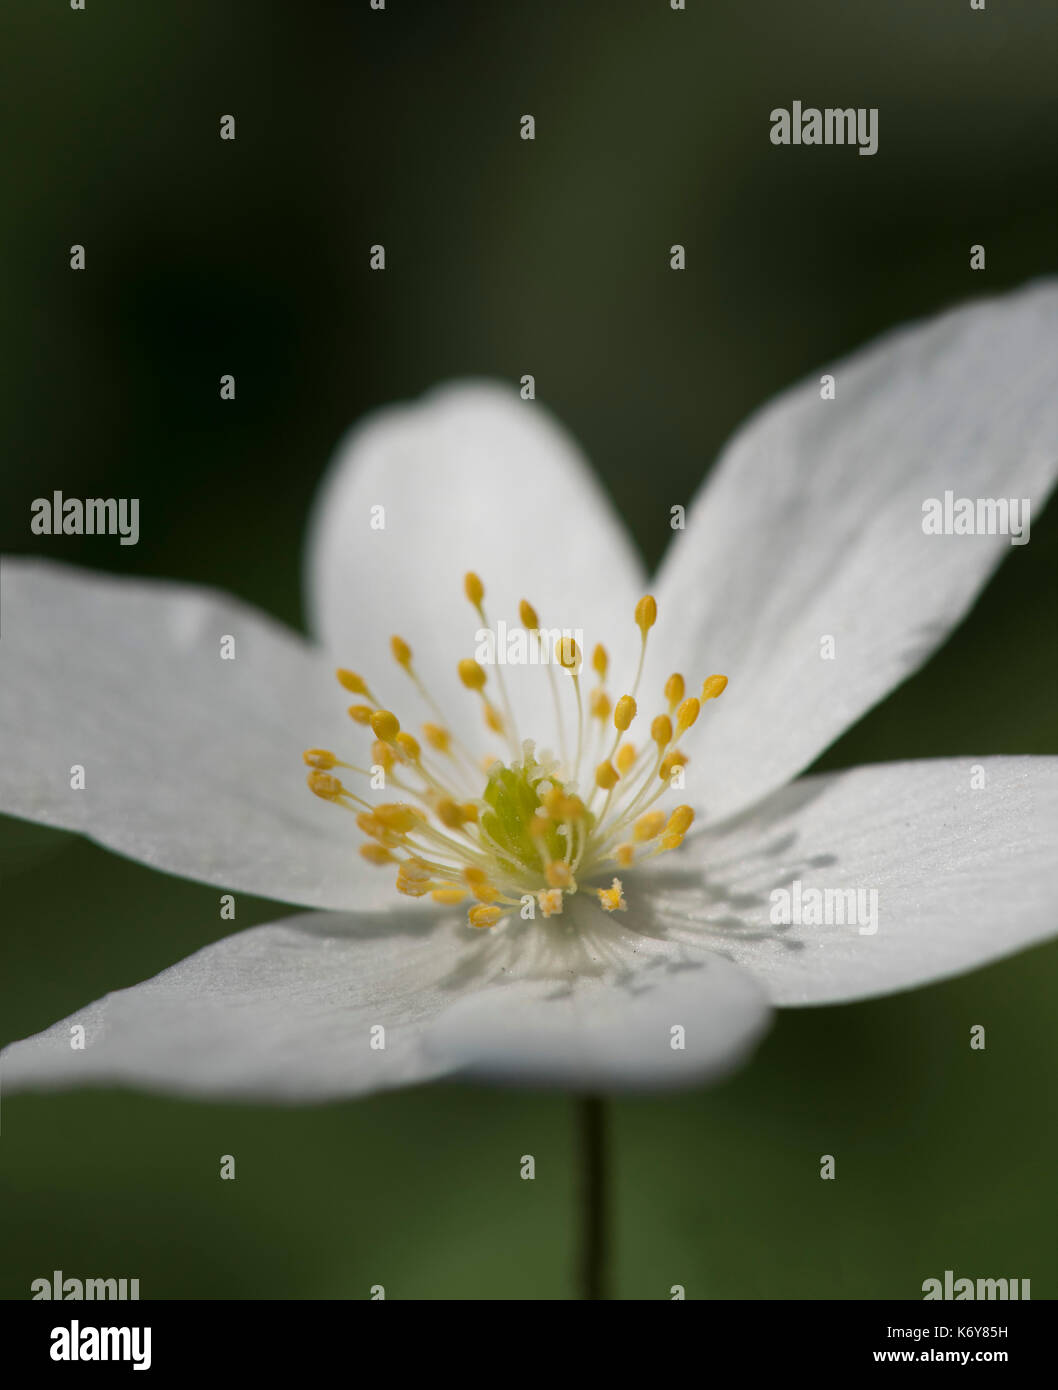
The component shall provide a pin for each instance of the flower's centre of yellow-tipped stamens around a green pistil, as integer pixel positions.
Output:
(529, 837)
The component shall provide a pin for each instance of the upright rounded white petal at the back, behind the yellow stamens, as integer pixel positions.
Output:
(472, 477)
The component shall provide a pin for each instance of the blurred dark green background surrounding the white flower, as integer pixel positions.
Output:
(508, 258)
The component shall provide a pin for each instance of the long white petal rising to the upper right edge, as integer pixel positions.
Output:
(813, 528)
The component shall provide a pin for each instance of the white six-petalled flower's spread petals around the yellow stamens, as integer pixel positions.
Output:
(810, 528)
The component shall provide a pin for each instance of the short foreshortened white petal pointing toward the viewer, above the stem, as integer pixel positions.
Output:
(674, 1020)
